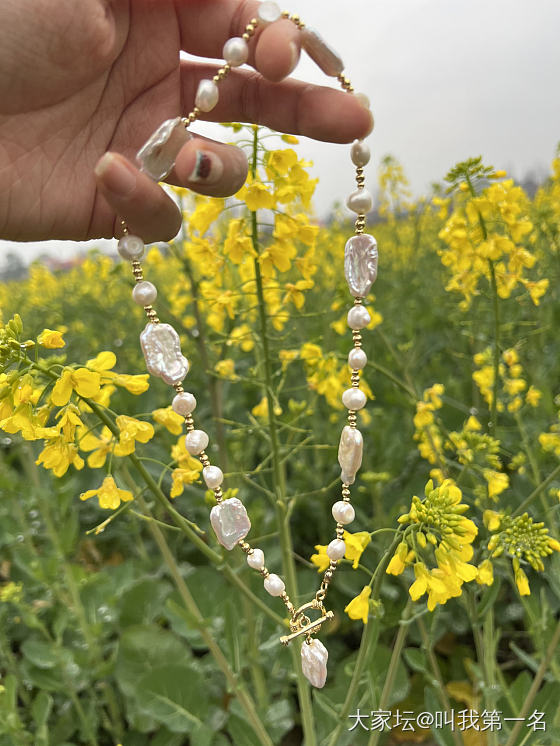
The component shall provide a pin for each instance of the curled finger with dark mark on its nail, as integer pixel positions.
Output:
(210, 168)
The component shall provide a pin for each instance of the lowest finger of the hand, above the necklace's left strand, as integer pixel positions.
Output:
(148, 211)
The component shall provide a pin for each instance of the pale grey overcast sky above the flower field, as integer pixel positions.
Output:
(447, 79)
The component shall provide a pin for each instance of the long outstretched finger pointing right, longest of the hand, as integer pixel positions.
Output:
(291, 106)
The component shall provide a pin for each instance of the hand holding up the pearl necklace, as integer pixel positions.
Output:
(78, 79)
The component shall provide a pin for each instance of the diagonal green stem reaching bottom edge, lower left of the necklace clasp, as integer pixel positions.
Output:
(236, 685)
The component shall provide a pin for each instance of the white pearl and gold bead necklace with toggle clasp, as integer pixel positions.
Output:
(162, 350)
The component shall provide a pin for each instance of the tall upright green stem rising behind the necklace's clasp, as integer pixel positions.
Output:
(279, 476)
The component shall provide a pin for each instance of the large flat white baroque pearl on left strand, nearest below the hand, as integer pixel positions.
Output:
(162, 351)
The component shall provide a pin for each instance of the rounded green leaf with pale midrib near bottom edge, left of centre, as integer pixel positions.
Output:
(174, 695)
